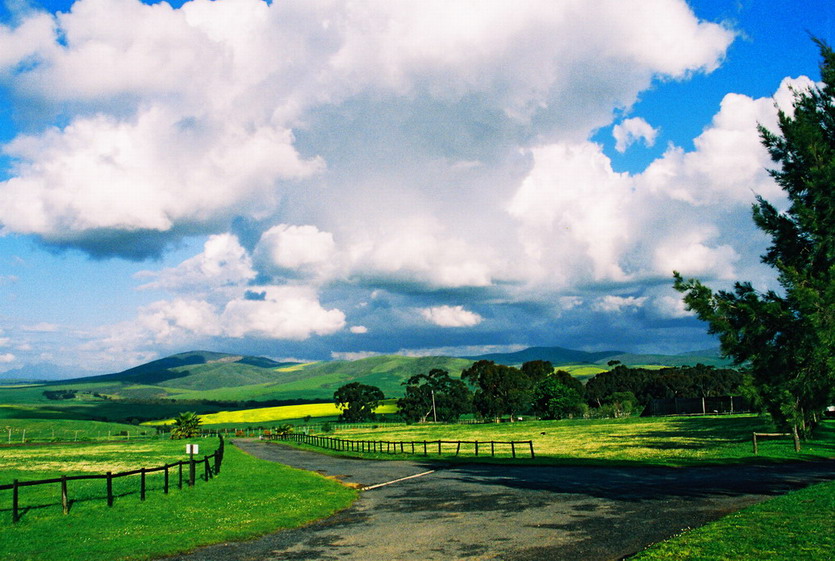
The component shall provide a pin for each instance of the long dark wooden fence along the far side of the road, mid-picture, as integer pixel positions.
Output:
(407, 446)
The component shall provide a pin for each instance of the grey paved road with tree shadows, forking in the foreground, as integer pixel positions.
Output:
(479, 511)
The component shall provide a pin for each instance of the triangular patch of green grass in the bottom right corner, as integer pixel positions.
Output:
(798, 525)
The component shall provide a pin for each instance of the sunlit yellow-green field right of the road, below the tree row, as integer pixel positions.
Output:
(667, 441)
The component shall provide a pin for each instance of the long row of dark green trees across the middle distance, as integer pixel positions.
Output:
(495, 391)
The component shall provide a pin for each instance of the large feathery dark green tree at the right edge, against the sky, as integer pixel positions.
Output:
(788, 337)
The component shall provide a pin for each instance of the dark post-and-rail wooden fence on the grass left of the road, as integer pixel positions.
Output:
(210, 465)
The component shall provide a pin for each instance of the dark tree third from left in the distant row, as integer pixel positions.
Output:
(500, 390)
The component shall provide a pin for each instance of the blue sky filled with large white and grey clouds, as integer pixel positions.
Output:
(316, 180)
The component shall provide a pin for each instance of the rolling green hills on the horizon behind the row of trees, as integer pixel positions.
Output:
(206, 382)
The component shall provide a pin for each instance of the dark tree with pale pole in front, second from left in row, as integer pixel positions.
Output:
(435, 396)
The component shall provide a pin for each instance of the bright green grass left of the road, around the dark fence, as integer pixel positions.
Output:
(250, 497)
